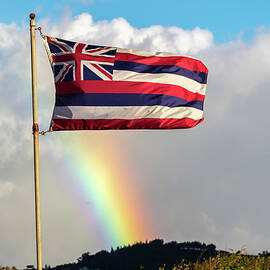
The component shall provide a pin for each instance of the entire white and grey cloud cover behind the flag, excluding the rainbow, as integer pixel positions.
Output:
(207, 184)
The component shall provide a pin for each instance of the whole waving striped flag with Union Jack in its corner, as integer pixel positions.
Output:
(101, 87)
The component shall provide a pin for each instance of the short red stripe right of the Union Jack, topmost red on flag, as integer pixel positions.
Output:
(181, 61)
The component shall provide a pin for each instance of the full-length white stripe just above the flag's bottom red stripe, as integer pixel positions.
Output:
(125, 112)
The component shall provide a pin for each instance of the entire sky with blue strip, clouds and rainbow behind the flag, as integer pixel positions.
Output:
(103, 189)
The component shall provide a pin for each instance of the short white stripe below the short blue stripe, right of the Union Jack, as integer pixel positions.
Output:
(166, 78)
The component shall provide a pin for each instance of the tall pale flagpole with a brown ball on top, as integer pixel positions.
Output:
(35, 140)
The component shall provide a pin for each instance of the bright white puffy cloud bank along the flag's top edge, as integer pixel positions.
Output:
(119, 32)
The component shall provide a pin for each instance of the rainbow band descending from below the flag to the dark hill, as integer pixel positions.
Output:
(109, 185)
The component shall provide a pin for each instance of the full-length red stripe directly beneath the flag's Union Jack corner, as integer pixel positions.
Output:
(98, 86)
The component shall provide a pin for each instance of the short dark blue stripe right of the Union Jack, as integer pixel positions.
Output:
(200, 77)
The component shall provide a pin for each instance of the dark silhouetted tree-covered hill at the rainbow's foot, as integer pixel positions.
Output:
(150, 255)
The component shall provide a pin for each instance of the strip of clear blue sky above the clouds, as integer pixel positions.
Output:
(225, 19)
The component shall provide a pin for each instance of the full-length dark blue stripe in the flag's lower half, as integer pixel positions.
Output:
(105, 99)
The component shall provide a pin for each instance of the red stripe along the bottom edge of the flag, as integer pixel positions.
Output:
(105, 124)
